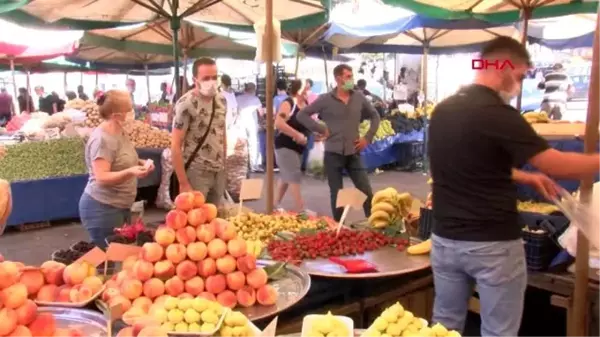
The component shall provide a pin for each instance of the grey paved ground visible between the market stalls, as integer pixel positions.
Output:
(35, 247)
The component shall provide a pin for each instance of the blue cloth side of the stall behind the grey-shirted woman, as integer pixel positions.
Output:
(58, 198)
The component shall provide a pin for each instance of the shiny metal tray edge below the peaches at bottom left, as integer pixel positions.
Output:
(90, 323)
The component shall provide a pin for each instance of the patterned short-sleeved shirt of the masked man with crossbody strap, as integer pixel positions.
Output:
(192, 115)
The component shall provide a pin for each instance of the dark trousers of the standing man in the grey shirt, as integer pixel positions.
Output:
(335, 164)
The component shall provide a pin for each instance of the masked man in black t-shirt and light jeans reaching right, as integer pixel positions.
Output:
(476, 143)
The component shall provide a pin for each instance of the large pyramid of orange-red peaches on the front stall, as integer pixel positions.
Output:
(195, 254)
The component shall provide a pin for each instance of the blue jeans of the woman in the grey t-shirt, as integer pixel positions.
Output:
(100, 219)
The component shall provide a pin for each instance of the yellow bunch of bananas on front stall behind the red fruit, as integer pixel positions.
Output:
(388, 206)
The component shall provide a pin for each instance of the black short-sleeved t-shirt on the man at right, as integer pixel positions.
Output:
(475, 140)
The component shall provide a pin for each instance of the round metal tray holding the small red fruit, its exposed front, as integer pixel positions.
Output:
(388, 261)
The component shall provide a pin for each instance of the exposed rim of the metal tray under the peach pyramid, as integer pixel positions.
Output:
(290, 290)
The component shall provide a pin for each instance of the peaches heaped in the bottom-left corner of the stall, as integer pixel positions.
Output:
(21, 287)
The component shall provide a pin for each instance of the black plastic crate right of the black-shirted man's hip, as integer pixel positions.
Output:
(540, 249)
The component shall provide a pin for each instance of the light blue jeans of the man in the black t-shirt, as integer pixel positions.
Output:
(498, 269)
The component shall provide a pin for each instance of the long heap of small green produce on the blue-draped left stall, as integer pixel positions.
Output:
(45, 159)
